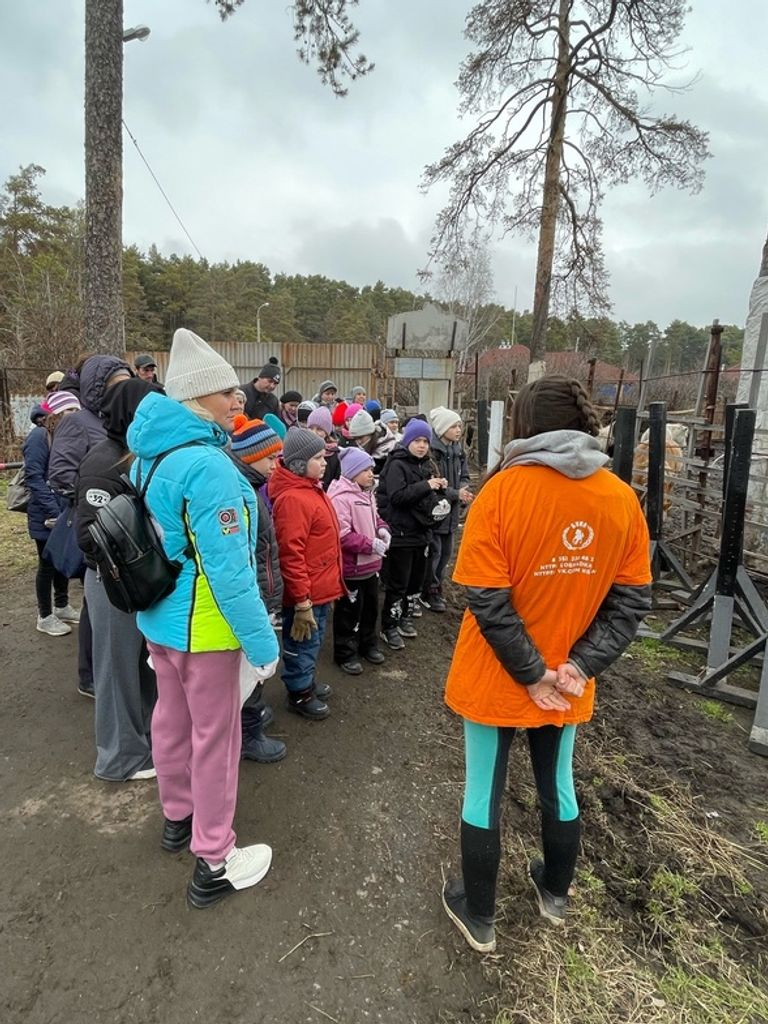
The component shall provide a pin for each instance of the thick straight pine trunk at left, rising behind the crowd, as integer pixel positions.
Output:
(104, 177)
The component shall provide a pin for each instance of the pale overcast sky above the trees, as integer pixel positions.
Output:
(264, 163)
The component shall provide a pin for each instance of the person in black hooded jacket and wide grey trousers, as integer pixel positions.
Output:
(124, 685)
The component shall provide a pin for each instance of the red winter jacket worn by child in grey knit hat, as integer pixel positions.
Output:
(309, 543)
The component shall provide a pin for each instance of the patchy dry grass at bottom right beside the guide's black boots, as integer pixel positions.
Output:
(652, 937)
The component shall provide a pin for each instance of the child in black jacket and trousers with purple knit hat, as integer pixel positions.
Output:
(410, 501)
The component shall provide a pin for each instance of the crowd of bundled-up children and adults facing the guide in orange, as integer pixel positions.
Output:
(329, 503)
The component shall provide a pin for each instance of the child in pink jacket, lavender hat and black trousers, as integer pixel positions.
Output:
(365, 540)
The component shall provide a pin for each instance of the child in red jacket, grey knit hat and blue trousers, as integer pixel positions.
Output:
(311, 564)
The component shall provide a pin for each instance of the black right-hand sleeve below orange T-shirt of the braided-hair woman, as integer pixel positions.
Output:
(613, 629)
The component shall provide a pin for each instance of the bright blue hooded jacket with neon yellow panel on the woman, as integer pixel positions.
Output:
(208, 517)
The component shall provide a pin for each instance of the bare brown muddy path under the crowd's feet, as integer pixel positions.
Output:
(94, 921)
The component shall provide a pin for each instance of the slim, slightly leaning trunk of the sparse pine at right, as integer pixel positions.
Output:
(551, 196)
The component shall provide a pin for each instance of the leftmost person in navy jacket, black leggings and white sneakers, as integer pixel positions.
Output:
(45, 507)
